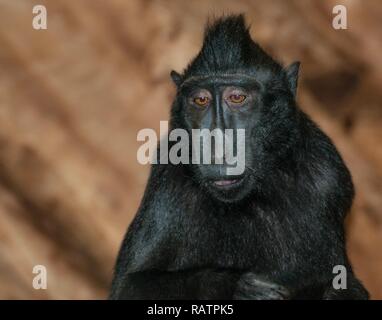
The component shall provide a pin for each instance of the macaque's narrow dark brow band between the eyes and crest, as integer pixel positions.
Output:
(222, 80)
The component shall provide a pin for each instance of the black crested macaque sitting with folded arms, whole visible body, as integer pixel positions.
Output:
(273, 232)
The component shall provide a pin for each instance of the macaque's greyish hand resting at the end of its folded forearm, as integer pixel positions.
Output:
(250, 286)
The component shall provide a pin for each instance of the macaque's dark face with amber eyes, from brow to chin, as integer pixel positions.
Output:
(244, 105)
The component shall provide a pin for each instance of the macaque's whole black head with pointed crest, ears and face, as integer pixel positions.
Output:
(233, 84)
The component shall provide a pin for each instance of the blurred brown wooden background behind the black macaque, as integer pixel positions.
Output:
(73, 97)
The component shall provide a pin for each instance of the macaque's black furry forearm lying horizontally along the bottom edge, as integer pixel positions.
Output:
(188, 284)
